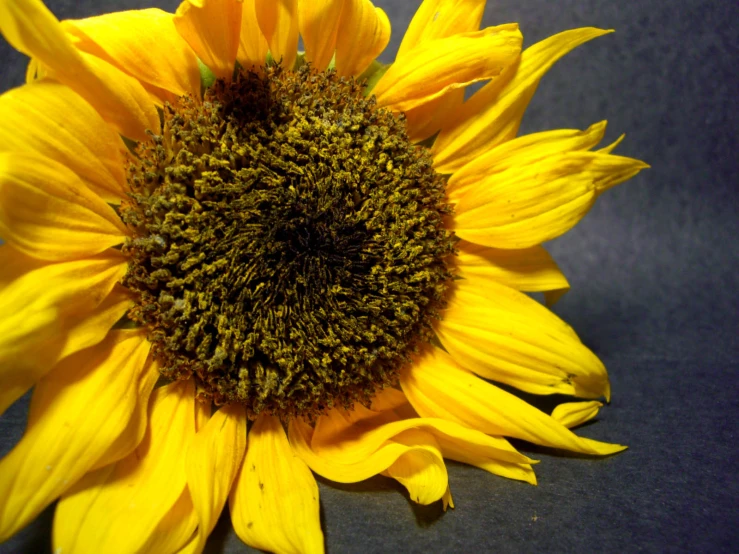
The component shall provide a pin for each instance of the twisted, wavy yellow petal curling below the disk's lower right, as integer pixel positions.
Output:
(350, 445)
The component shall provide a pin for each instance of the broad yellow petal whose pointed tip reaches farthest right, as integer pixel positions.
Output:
(525, 206)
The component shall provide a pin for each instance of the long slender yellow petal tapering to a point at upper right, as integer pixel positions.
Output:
(493, 114)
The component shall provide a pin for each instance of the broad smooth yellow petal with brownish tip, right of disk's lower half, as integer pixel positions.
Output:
(503, 335)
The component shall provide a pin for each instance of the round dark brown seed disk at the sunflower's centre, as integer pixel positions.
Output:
(289, 249)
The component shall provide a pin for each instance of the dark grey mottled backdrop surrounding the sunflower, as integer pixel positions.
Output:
(653, 271)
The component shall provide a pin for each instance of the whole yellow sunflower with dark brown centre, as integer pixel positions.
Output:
(229, 264)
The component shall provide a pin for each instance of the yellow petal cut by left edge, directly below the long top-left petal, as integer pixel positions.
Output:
(54, 121)
